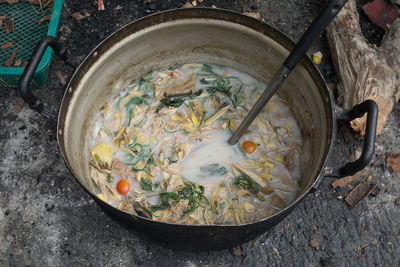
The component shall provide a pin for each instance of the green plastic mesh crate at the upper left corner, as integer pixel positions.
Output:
(27, 33)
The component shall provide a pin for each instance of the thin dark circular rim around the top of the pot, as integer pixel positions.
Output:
(185, 14)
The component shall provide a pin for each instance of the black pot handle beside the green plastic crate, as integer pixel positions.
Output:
(30, 69)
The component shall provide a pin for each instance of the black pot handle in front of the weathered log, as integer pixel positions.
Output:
(369, 107)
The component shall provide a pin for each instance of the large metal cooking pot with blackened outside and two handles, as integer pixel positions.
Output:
(204, 36)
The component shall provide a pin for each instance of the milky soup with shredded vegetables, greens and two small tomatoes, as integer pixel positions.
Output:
(160, 149)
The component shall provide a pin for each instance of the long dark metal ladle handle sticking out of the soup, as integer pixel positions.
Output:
(319, 24)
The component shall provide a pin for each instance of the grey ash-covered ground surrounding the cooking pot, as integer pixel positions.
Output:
(46, 218)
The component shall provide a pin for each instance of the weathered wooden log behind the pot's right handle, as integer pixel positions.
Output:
(364, 71)
